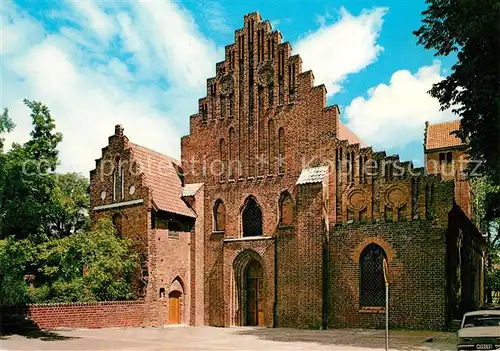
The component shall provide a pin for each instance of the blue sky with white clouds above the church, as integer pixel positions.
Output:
(144, 64)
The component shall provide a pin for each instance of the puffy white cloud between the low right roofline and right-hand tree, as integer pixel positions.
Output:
(393, 115)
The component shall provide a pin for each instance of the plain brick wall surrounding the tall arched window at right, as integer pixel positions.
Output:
(416, 253)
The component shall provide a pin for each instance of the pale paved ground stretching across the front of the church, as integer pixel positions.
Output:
(209, 338)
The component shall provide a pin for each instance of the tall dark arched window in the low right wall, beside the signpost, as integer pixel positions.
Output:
(371, 276)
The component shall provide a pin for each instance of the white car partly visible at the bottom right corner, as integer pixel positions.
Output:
(480, 330)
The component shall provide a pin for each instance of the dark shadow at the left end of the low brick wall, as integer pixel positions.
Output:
(17, 323)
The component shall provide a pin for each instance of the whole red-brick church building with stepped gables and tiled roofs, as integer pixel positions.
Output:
(278, 215)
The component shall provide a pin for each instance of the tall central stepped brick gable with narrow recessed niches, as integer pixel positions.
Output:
(261, 111)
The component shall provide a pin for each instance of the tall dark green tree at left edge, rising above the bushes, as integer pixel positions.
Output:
(28, 183)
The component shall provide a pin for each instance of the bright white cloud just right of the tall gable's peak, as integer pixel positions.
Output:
(344, 47)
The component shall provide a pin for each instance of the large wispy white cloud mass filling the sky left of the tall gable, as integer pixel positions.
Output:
(89, 91)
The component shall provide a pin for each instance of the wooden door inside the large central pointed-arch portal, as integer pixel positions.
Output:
(255, 294)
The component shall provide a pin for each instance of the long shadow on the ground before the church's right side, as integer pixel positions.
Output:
(357, 338)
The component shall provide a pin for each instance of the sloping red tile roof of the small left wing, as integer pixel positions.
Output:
(162, 179)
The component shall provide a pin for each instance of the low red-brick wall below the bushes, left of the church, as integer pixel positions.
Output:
(90, 314)
